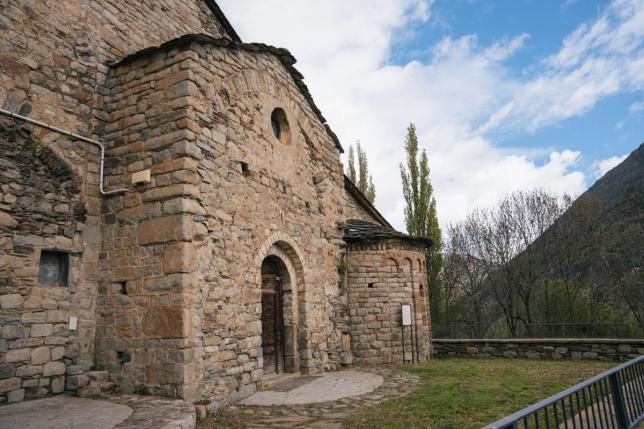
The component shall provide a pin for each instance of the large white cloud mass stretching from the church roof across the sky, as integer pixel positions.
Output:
(343, 49)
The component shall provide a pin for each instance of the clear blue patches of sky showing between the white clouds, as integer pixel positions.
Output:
(604, 131)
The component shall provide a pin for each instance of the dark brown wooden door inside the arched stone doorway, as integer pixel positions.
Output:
(274, 274)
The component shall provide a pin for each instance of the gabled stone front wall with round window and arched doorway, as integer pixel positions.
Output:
(287, 201)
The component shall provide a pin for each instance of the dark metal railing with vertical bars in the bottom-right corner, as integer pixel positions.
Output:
(611, 400)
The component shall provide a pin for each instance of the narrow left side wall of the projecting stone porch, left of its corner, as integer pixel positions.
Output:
(147, 282)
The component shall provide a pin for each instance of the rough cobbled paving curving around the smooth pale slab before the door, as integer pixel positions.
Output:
(324, 415)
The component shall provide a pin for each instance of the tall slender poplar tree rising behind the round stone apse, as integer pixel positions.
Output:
(421, 219)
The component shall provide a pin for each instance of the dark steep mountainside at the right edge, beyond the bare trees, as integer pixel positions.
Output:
(595, 251)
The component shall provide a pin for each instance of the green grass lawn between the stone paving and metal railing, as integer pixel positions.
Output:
(470, 393)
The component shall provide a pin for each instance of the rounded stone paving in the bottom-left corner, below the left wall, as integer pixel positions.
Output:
(118, 412)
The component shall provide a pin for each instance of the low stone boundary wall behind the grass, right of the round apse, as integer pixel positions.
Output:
(555, 349)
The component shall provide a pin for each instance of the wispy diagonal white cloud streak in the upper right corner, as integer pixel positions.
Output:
(598, 59)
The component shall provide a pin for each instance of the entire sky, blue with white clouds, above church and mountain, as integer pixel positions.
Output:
(506, 95)
